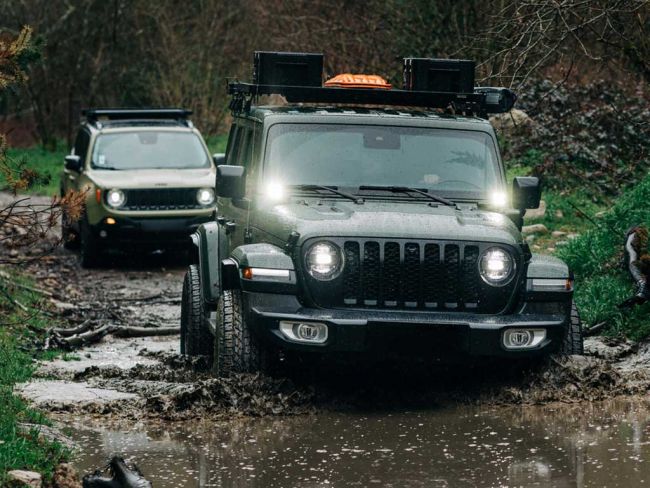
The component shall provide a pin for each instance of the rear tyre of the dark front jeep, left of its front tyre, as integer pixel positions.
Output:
(196, 339)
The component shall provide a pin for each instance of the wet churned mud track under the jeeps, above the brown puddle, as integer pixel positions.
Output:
(147, 377)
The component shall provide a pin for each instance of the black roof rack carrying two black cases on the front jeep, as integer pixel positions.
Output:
(430, 83)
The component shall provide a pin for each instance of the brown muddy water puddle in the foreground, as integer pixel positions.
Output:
(599, 444)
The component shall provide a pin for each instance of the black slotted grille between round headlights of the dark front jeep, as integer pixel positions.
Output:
(412, 275)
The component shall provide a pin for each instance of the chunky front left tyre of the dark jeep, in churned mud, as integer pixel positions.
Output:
(236, 350)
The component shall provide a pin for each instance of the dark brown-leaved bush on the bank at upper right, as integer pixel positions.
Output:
(594, 134)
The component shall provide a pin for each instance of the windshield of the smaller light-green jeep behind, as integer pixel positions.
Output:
(149, 150)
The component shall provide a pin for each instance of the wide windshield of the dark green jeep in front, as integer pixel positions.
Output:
(443, 161)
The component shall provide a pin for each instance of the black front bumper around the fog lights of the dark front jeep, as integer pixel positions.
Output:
(432, 334)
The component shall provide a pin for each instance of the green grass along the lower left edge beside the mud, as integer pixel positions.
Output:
(20, 449)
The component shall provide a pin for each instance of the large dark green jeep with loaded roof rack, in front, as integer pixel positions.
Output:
(349, 223)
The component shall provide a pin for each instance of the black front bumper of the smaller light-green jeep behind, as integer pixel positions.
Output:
(148, 231)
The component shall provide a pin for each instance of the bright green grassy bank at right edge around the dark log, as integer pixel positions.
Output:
(596, 257)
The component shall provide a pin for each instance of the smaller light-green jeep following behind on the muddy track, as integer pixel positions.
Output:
(148, 181)
